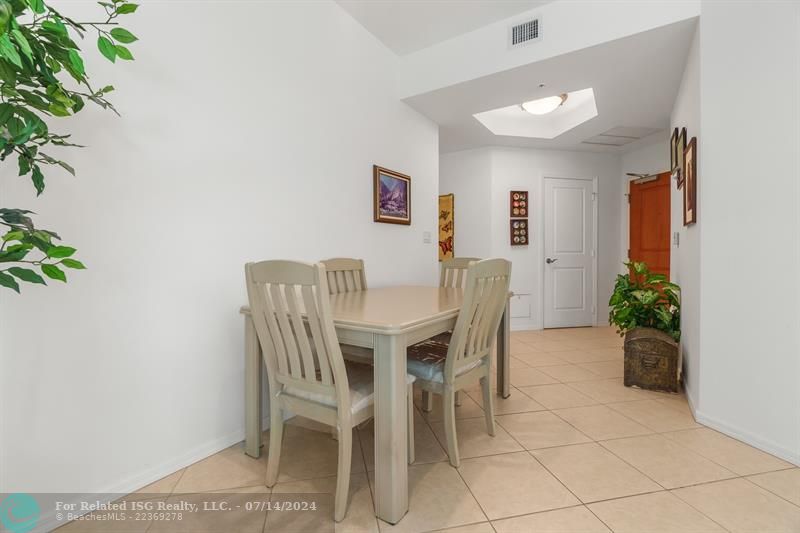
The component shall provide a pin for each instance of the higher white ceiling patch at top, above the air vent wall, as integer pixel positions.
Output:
(406, 26)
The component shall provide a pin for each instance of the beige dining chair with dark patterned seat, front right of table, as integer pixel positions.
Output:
(445, 368)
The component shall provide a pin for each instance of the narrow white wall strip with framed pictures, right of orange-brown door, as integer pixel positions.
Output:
(685, 257)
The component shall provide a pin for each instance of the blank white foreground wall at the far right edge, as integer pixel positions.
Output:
(749, 163)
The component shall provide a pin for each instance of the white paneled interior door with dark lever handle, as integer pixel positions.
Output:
(568, 253)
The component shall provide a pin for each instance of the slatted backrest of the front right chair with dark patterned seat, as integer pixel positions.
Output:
(485, 294)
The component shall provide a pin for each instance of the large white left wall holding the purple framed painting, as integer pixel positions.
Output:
(230, 149)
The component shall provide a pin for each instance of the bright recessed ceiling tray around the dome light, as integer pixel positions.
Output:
(516, 122)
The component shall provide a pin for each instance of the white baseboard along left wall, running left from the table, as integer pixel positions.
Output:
(48, 521)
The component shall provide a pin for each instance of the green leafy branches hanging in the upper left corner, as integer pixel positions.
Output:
(42, 80)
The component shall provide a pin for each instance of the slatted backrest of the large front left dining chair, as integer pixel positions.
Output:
(290, 308)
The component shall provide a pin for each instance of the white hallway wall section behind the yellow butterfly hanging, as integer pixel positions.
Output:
(468, 176)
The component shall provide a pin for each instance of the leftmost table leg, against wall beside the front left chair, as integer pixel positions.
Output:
(252, 389)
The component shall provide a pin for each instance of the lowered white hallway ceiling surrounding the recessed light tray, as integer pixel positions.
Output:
(635, 82)
